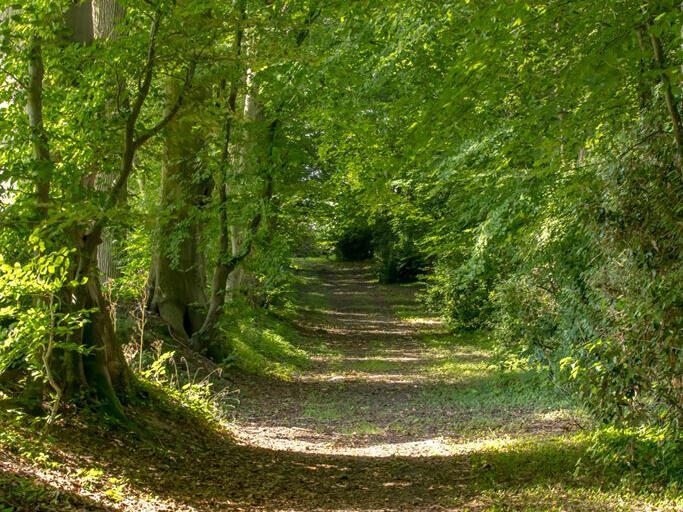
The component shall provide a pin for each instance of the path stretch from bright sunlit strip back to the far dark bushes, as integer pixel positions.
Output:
(385, 380)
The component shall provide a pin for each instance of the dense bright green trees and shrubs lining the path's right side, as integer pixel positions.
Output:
(528, 153)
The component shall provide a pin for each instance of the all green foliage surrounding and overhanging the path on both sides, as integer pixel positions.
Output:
(523, 159)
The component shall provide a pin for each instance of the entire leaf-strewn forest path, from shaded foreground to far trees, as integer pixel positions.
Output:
(391, 413)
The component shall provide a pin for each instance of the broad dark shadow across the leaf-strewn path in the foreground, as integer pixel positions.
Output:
(185, 462)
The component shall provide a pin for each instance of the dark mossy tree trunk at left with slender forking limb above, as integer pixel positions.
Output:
(98, 369)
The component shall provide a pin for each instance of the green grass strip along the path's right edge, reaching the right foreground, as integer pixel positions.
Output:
(492, 402)
